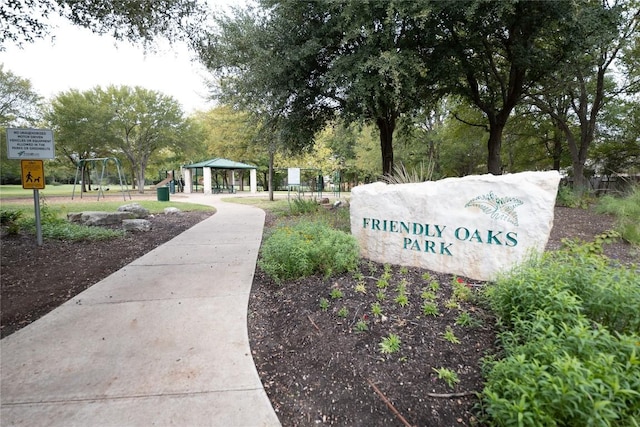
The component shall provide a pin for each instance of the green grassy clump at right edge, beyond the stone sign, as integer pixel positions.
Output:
(627, 213)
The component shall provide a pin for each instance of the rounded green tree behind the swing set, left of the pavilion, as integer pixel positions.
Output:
(132, 122)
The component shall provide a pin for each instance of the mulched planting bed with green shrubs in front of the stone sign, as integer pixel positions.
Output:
(555, 343)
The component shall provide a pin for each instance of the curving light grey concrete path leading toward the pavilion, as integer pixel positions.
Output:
(163, 341)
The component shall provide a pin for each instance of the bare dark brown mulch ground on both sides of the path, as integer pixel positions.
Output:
(319, 367)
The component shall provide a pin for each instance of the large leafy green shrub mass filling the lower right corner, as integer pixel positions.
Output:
(570, 342)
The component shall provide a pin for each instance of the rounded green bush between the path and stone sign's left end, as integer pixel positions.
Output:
(305, 248)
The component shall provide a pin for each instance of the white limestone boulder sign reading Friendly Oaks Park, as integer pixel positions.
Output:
(476, 226)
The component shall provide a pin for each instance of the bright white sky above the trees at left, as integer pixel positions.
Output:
(79, 59)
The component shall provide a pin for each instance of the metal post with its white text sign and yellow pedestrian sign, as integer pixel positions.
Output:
(31, 146)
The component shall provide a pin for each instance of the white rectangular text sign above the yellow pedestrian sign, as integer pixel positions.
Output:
(30, 144)
